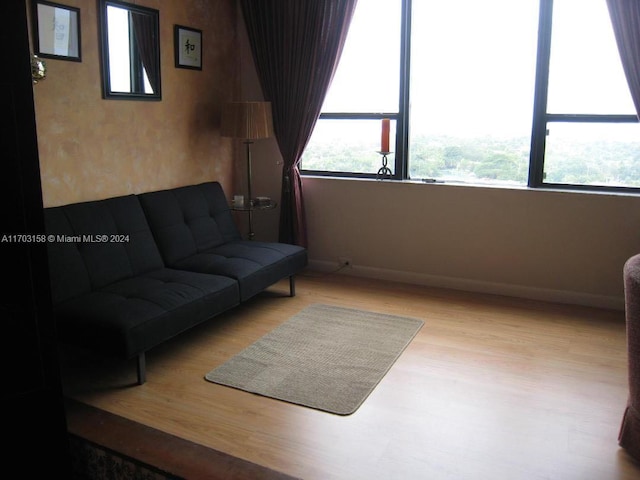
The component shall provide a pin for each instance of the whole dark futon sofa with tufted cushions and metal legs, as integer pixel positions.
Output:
(130, 272)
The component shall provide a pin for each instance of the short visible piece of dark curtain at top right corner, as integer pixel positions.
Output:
(625, 17)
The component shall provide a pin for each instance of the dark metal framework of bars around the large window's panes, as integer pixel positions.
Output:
(540, 119)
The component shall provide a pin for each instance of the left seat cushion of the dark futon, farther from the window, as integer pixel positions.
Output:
(133, 315)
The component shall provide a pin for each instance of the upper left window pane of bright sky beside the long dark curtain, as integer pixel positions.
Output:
(368, 77)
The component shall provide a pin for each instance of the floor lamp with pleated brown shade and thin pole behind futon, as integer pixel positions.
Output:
(247, 121)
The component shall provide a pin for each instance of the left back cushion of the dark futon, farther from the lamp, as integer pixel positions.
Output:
(98, 243)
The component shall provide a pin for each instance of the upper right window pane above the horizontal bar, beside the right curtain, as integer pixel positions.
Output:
(585, 71)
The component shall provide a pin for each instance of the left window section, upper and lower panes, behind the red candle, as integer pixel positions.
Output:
(364, 90)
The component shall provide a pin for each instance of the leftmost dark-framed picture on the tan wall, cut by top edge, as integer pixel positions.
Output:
(56, 30)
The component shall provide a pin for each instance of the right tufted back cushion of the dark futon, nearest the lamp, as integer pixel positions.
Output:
(189, 220)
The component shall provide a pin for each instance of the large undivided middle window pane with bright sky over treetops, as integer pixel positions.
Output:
(472, 86)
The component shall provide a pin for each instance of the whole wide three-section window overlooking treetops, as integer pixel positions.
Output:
(493, 92)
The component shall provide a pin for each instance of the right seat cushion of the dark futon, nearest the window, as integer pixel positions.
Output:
(255, 265)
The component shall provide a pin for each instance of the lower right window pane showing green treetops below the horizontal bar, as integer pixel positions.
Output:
(604, 154)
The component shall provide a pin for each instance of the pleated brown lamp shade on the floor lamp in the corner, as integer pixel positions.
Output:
(247, 120)
